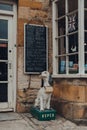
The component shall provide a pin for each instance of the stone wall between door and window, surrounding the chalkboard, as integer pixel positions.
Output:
(30, 12)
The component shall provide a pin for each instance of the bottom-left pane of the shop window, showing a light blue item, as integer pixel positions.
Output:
(62, 65)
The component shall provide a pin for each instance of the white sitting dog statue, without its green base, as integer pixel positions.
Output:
(44, 96)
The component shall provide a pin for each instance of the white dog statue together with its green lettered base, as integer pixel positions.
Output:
(41, 109)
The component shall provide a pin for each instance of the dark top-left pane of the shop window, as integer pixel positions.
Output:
(61, 8)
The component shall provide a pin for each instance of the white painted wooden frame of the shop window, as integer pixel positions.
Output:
(80, 40)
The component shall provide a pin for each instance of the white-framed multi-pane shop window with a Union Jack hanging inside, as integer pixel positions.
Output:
(69, 56)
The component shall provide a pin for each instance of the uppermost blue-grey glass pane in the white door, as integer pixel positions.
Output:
(3, 29)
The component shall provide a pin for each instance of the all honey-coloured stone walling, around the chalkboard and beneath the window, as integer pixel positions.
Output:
(70, 94)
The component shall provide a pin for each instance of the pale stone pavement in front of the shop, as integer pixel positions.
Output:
(25, 121)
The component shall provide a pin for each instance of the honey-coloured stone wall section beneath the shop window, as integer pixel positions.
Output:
(70, 98)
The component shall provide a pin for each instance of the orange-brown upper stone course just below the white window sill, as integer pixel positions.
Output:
(69, 92)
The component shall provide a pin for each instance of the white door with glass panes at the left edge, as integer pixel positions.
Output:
(5, 62)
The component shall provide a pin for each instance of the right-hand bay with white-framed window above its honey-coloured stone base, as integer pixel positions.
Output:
(70, 57)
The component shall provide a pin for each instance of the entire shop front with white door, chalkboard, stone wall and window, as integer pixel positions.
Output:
(66, 21)
